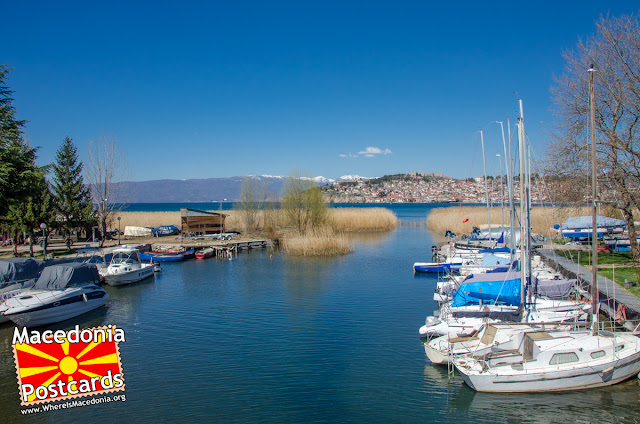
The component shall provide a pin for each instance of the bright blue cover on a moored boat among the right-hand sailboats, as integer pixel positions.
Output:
(498, 287)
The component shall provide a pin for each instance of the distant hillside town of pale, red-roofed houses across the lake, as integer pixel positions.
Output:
(418, 187)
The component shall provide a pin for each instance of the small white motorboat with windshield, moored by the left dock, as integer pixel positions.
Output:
(126, 268)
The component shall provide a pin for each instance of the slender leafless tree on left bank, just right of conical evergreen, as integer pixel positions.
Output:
(105, 169)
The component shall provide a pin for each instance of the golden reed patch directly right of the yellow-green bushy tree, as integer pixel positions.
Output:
(362, 219)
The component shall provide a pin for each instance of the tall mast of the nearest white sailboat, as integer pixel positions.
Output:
(594, 234)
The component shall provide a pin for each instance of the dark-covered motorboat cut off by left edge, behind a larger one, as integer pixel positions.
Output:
(16, 276)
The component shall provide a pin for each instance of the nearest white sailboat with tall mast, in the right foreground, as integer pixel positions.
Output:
(545, 360)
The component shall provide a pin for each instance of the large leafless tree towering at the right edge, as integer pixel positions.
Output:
(614, 52)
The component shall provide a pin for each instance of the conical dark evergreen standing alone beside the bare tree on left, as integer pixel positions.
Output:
(71, 198)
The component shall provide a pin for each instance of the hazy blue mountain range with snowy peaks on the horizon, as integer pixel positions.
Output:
(199, 190)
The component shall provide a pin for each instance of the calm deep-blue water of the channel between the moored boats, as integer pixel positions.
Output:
(269, 339)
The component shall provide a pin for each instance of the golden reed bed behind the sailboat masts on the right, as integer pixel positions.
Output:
(542, 218)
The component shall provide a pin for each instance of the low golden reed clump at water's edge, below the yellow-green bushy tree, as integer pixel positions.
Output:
(322, 241)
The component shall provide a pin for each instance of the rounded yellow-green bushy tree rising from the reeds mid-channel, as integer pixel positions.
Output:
(302, 202)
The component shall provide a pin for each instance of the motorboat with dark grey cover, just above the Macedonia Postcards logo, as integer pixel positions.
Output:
(61, 292)
